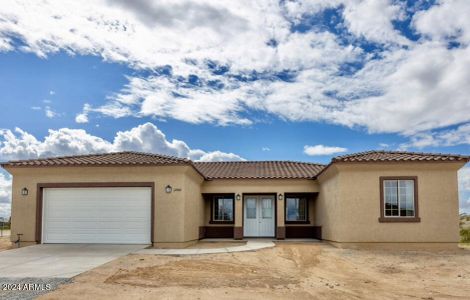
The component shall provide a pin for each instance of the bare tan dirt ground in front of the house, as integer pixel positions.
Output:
(288, 271)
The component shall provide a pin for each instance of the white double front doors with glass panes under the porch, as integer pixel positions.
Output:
(259, 216)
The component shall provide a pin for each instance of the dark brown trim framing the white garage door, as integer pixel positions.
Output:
(41, 186)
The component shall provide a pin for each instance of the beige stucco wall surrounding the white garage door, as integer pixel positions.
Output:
(174, 220)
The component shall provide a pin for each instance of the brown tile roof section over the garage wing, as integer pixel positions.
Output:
(105, 159)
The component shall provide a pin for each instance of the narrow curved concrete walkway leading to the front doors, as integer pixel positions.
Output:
(250, 246)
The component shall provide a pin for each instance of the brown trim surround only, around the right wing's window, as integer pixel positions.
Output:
(404, 219)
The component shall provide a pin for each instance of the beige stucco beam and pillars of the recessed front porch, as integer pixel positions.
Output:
(253, 186)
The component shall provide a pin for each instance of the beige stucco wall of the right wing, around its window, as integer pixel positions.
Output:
(349, 203)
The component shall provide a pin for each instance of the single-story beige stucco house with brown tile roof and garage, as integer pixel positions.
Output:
(130, 197)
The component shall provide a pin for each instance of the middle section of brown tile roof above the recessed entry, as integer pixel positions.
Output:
(259, 170)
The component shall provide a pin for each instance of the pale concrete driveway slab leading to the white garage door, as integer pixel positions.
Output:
(59, 260)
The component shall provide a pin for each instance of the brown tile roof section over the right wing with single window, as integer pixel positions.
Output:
(384, 156)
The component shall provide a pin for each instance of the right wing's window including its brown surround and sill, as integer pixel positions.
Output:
(399, 199)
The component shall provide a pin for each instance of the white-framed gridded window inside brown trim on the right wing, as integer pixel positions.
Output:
(399, 198)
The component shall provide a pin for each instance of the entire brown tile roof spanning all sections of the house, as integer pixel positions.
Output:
(234, 170)
